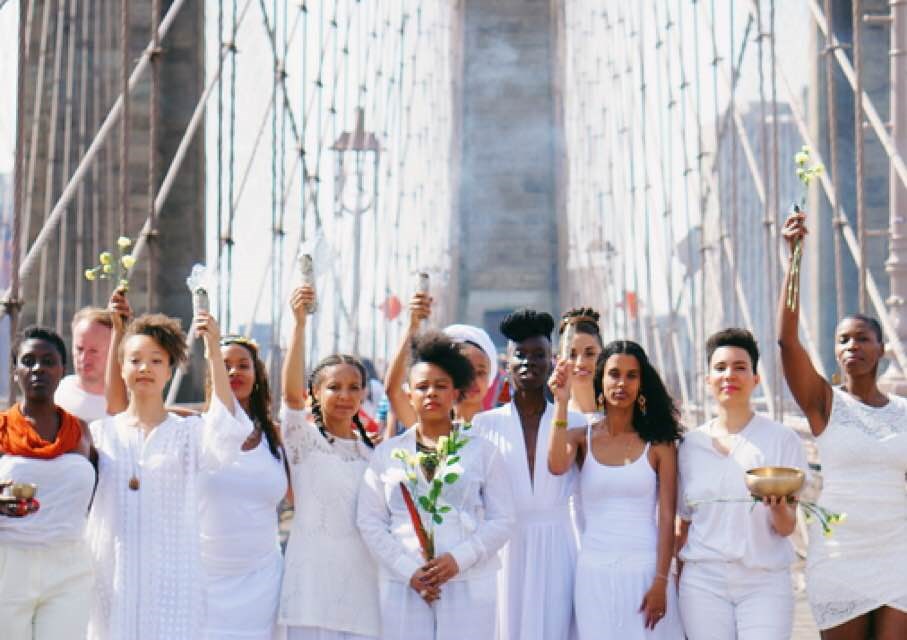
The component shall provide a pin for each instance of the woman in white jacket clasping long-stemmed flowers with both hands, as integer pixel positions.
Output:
(453, 595)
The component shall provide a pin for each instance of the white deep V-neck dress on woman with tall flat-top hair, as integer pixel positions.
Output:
(540, 559)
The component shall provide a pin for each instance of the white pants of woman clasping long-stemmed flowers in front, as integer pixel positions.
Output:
(466, 609)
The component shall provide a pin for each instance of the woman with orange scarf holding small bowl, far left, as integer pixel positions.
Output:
(45, 567)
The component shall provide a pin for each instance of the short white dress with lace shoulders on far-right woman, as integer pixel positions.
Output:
(863, 564)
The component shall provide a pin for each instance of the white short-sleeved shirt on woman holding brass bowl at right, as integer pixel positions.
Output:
(734, 531)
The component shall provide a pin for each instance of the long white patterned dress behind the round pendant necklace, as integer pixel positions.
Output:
(149, 582)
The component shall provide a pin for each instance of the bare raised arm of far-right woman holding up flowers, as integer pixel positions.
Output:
(810, 390)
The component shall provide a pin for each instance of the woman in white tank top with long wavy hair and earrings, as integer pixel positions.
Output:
(627, 491)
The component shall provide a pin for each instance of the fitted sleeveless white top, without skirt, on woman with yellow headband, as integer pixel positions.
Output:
(239, 512)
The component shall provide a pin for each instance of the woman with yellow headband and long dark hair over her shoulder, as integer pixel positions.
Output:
(238, 504)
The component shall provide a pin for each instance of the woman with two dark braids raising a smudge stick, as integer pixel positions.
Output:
(330, 584)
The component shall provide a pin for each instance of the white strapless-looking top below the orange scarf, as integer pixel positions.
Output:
(64, 484)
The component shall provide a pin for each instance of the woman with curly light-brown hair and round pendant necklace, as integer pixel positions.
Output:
(143, 530)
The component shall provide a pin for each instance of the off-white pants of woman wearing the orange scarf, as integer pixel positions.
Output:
(45, 593)
